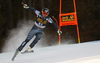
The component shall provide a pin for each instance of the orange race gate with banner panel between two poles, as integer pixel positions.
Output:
(66, 19)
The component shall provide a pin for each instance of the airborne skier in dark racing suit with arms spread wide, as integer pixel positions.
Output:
(40, 23)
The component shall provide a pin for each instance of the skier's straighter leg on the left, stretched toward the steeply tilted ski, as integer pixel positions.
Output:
(29, 37)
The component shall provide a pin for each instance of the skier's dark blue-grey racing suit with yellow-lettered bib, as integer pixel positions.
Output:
(37, 28)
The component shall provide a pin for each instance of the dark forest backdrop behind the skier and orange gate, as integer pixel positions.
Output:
(88, 11)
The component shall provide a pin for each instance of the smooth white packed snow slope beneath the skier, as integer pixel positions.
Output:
(75, 53)
